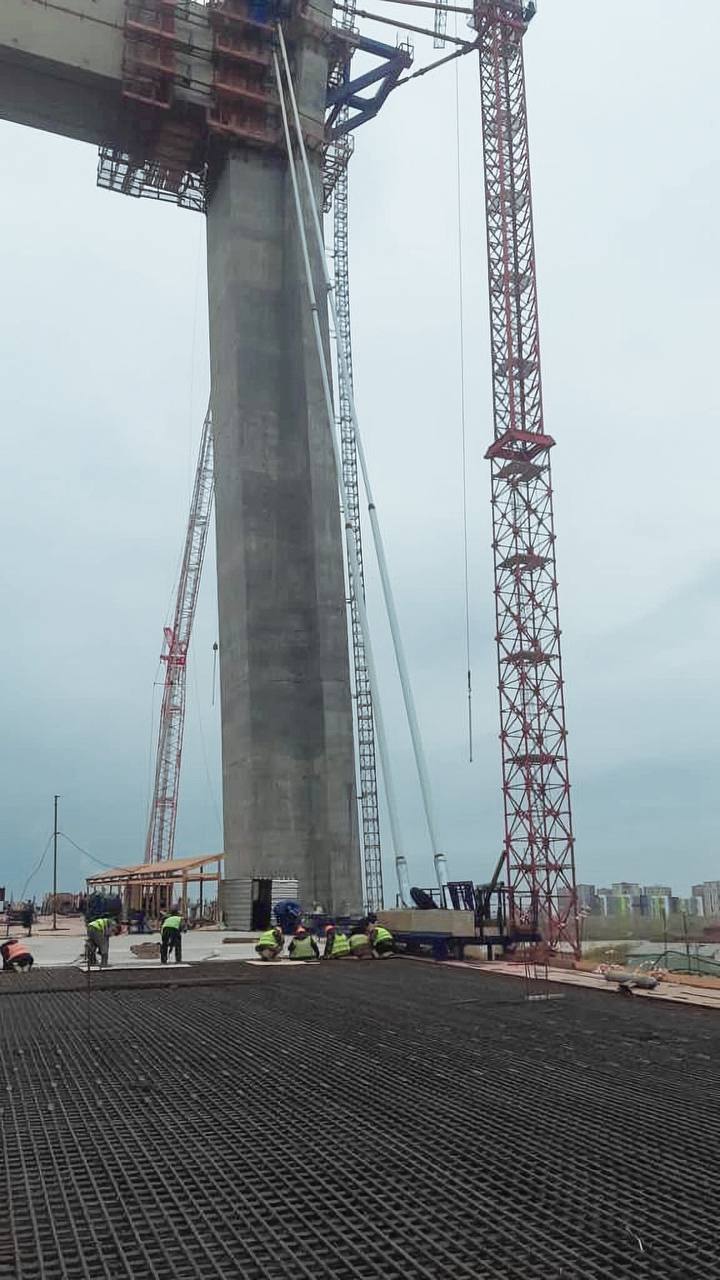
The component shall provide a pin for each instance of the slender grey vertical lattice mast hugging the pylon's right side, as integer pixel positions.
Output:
(336, 182)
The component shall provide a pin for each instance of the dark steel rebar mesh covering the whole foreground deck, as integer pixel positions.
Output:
(390, 1121)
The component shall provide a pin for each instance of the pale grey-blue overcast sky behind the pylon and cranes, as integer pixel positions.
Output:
(104, 350)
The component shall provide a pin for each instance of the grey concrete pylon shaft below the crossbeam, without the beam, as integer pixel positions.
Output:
(289, 774)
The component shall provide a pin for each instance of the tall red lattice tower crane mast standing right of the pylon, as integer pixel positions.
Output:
(540, 862)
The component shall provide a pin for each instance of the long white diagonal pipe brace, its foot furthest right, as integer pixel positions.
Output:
(377, 537)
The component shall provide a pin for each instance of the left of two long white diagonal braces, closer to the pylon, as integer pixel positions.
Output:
(400, 861)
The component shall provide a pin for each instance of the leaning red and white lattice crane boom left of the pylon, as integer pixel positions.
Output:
(163, 813)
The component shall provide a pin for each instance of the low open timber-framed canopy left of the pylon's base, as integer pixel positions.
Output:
(156, 888)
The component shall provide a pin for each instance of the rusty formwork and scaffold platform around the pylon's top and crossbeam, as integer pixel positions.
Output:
(193, 79)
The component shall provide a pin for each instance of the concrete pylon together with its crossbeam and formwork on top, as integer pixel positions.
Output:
(180, 97)
